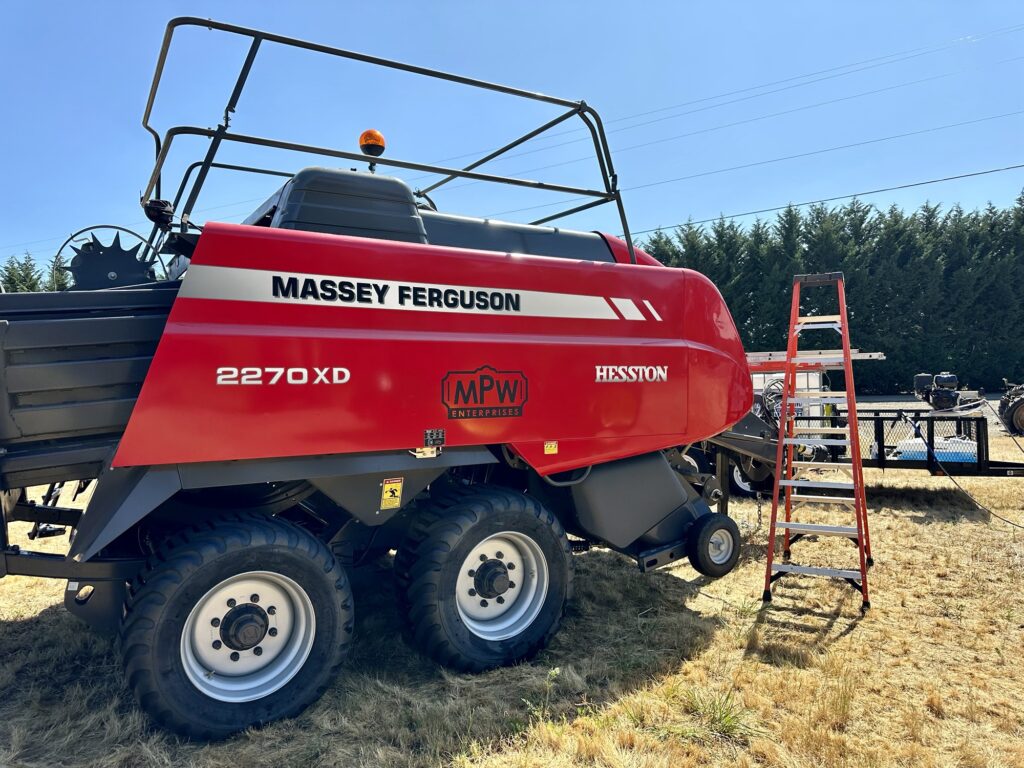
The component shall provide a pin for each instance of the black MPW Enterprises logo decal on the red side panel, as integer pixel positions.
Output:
(484, 394)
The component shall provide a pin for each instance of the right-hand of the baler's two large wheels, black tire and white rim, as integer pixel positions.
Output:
(490, 582)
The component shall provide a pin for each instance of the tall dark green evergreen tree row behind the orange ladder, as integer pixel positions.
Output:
(934, 290)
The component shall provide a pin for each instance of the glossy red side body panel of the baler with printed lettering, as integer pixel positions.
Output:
(288, 344)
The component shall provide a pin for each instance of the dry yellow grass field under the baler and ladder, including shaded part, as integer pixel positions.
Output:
(662, 670)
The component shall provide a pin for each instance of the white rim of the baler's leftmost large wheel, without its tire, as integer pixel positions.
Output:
(219, 663)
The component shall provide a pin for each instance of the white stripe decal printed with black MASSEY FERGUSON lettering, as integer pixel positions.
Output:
(239, 284)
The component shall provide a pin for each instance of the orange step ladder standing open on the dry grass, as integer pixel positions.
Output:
(793, 488)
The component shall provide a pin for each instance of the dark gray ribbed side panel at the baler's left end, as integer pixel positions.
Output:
(71, 368)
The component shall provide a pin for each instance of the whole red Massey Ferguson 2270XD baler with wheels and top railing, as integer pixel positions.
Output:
(352, 373)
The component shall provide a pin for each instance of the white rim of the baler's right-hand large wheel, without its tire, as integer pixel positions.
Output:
(491, 610)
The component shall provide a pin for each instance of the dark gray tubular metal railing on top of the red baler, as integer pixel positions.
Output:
(589, 117)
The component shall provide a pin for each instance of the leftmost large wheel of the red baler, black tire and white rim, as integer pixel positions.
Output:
(190, 578)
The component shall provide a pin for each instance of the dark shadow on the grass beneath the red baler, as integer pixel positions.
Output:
(65, 702)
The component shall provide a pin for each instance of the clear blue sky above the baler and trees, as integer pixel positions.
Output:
(76, 77)
